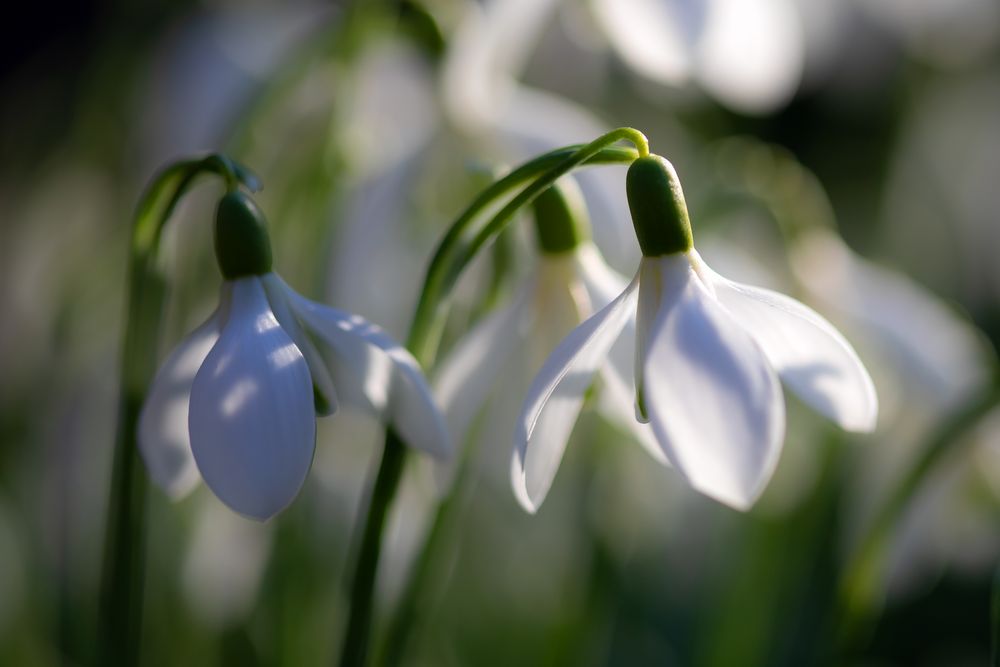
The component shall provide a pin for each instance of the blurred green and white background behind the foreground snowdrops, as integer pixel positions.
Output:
(844, 152)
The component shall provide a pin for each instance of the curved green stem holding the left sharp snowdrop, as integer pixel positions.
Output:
(120, 601)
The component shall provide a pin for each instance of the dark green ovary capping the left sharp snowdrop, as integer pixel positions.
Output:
(242, 245)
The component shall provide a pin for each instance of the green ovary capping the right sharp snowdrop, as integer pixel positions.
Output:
(659, 212)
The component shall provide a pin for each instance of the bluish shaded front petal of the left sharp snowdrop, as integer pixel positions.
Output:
(252, 421)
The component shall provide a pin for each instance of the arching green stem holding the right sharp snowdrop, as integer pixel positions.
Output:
(460, 244)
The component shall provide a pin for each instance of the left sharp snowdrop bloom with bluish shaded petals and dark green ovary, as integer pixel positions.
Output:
(237, 400)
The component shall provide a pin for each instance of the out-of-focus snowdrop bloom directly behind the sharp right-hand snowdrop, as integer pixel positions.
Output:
(499, 356)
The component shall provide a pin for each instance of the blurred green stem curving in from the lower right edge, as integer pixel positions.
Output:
(860, 577)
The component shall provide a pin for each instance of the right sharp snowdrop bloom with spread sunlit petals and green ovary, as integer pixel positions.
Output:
(708, 355)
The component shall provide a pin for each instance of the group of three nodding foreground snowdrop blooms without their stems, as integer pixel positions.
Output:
(689, 363)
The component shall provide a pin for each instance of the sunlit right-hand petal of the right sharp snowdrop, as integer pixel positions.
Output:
(810, 355)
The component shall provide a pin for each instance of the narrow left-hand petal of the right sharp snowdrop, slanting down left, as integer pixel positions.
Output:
(556, 396)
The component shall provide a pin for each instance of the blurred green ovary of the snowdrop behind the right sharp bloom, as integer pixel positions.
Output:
(561, 219)
